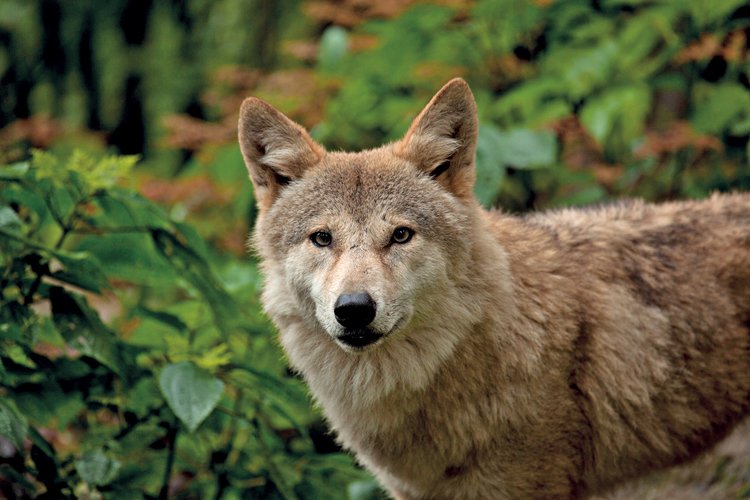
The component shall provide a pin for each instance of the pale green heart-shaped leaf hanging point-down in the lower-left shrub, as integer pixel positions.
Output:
(191, 392)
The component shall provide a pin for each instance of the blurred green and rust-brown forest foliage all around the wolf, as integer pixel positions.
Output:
(133, 353)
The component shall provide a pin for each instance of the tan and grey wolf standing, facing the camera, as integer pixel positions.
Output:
(462, 353)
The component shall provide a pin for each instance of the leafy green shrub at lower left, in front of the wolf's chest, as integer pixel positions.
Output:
(133, 363)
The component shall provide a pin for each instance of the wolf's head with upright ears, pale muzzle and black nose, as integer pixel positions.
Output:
(364, 246)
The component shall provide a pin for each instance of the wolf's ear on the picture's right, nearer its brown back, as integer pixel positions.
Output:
(442, 139)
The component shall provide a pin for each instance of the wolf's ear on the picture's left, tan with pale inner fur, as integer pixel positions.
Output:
(276, 150)
